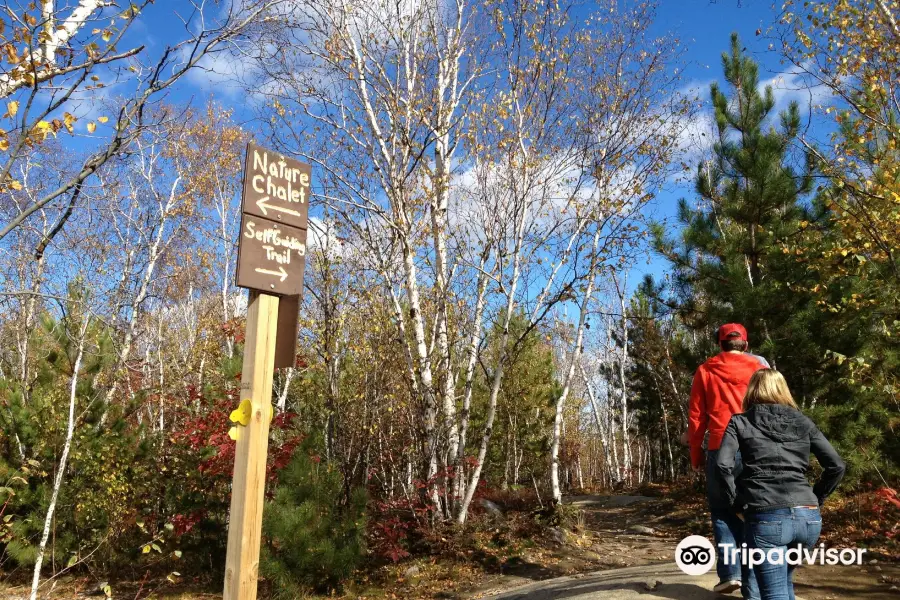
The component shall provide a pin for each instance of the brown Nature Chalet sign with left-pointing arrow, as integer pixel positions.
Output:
(276, 187)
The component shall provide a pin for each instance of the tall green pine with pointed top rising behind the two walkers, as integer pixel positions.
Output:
(732, 261)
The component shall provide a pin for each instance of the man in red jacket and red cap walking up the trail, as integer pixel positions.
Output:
(717, 393)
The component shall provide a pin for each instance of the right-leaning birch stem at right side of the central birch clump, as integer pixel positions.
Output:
(531, 172)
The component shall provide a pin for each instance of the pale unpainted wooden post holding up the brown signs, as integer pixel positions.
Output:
(249, 481)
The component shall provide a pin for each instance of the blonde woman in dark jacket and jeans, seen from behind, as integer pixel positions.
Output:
(780, 507)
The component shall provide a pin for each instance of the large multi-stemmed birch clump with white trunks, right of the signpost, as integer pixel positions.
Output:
(387, 100)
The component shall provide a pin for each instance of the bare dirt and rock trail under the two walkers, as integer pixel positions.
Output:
(623, 547)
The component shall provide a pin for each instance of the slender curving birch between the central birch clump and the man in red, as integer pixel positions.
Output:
(630, 143)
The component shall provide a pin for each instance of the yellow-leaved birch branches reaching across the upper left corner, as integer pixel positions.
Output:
(61, 57)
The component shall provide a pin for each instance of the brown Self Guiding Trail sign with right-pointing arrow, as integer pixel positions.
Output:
(271, 257)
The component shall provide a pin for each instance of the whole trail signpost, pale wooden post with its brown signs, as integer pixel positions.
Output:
(271, 260)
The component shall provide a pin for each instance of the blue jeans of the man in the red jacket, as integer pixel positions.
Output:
(728, 529)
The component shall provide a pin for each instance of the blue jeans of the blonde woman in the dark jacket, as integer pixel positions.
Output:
(780, 529)
